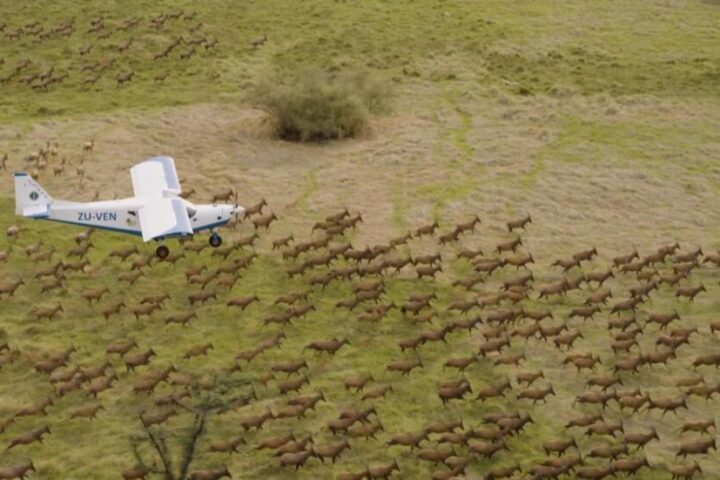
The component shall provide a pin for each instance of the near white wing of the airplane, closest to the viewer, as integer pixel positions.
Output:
(160, 217)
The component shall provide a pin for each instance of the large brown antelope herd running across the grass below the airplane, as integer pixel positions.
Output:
(591, 365)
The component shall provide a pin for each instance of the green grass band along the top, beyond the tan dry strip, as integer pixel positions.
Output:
(502, 38)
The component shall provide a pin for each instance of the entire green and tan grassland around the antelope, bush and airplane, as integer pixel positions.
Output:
(599, 119)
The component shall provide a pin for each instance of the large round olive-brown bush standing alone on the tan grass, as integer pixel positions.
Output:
(312, 104)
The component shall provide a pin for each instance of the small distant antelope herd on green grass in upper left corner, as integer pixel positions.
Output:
(109, 46)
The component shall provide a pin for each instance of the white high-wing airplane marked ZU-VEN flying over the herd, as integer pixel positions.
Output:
(156, 212)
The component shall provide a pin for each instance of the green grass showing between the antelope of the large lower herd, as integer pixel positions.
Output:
(372, 347)
